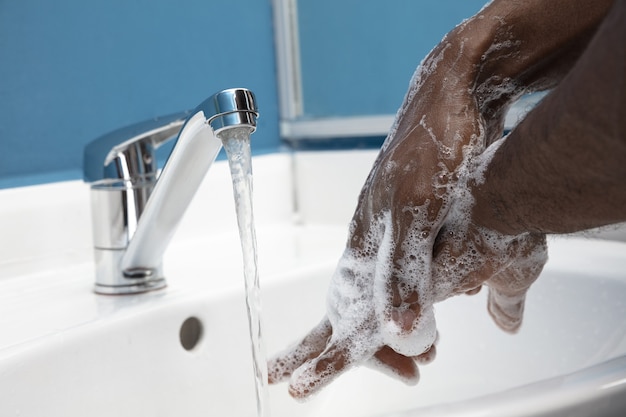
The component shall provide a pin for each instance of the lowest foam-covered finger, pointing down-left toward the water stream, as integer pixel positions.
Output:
(320, 371)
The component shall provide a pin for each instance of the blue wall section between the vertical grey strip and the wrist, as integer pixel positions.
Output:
(358, 56)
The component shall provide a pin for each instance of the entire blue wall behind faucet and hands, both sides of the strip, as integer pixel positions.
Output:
(72, 70)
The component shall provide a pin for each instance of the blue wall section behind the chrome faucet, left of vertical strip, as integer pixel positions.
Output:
(71, 70)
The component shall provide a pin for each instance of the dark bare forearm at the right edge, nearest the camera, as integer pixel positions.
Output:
(563, 169)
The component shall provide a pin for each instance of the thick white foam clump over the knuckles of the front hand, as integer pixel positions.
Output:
(359, 299)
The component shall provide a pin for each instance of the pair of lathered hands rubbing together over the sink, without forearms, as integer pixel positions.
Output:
(412, 242)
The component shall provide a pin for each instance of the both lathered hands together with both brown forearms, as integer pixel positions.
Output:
(444, 213)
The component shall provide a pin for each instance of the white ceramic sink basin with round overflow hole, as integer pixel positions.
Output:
(184, 350)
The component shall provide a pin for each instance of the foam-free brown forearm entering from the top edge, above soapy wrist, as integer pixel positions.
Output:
(515, 47)
